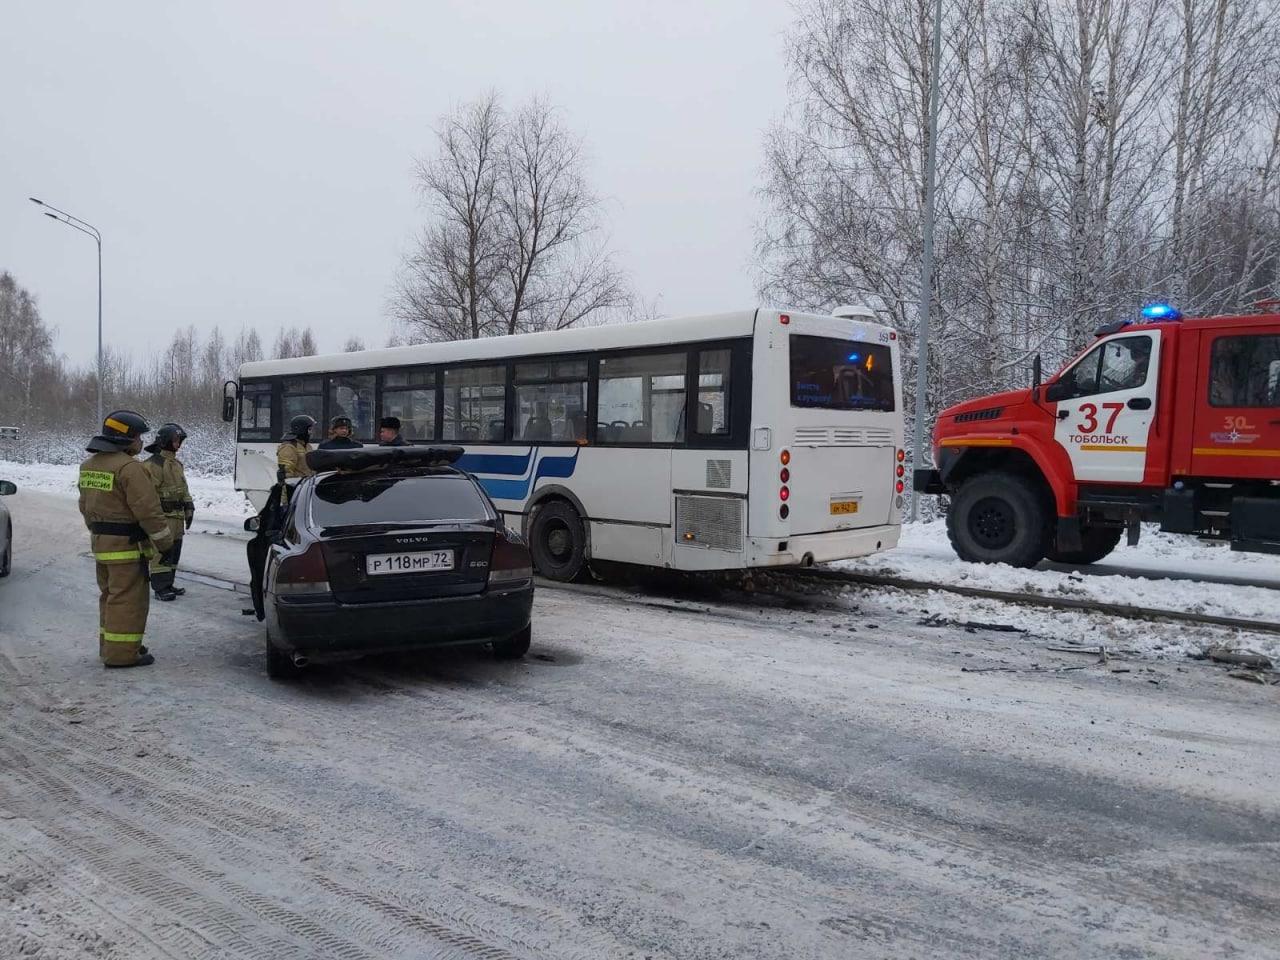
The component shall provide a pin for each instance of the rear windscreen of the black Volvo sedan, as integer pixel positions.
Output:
(391, 500)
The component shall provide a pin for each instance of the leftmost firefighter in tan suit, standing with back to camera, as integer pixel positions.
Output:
(127, 529)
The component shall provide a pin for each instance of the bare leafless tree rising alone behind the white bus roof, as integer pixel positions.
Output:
(514, 243)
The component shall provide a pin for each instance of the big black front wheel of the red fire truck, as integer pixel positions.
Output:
(999, 519)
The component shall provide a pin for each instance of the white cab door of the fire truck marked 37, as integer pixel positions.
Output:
(1105, 423)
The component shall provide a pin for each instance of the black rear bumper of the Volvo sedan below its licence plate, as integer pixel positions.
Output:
(327, 628)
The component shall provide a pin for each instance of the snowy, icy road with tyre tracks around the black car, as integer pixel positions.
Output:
(662, 779)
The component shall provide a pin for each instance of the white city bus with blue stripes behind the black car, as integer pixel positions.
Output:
(748, 440)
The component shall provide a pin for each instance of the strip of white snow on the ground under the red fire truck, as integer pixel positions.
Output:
(1165, 572)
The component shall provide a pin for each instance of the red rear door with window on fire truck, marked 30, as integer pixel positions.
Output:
(1237, 431)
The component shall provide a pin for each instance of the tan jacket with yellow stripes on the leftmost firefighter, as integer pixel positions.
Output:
(122, 510)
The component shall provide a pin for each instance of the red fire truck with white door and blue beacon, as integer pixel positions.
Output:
(1168, 419)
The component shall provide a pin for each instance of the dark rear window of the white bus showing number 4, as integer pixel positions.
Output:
(833, 374)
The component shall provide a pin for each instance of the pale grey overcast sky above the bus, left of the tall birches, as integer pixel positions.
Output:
(250, 163)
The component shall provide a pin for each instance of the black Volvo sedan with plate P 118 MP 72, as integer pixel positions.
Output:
(386, 550)
